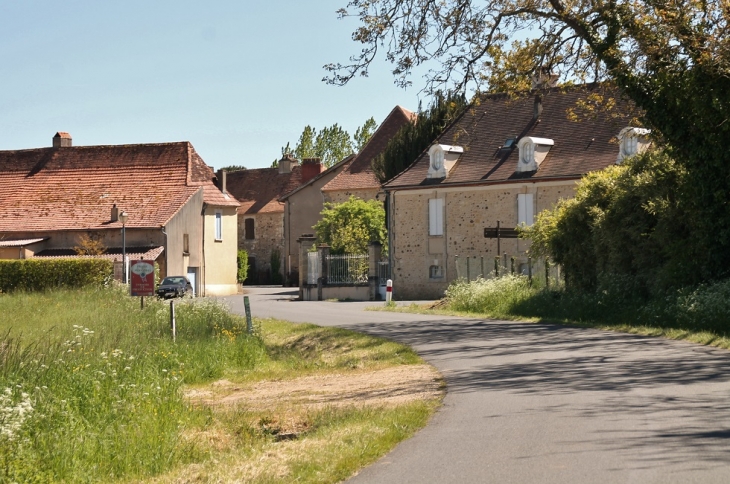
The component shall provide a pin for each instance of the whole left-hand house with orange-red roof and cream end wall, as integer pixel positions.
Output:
(54, 200)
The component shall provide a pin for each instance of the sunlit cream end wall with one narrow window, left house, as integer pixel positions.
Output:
(220, 255)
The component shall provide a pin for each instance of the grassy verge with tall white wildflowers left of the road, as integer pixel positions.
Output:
(92, 389)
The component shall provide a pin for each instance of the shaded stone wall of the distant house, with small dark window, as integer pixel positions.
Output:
(269, 234)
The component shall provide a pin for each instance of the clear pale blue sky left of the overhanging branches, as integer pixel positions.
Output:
(238, 79)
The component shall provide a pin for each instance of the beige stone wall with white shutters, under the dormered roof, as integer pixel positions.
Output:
(467, 212)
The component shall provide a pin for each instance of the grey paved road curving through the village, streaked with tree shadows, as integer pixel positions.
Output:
(543, 403)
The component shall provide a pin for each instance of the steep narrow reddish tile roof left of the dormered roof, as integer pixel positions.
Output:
(358, 174)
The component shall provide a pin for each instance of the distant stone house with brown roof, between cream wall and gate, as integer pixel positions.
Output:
(261, 215)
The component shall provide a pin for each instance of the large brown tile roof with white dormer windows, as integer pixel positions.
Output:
(580, 147)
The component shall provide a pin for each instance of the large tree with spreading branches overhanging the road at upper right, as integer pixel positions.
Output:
(670, 58)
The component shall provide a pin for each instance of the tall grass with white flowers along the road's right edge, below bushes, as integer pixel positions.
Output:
(617, 302)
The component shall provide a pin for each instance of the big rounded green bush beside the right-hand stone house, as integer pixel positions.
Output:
(628, 220)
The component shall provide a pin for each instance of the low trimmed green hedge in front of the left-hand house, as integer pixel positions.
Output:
(42, 275)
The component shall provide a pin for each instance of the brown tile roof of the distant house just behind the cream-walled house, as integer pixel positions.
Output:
(258, 190)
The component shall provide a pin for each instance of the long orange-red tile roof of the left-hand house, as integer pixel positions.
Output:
(75, 187)
